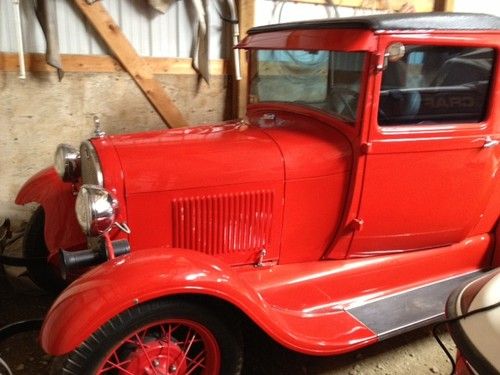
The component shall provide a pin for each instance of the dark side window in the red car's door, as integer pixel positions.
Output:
(436, 84)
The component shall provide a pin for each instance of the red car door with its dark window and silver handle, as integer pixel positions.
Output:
(432, 159)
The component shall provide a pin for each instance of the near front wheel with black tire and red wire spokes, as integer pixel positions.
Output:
(146, 325)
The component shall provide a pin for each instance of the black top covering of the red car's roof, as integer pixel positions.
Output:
(395, 21)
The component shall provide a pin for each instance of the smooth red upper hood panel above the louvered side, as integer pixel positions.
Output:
(226, 153)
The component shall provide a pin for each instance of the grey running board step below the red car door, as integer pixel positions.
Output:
(398, 313)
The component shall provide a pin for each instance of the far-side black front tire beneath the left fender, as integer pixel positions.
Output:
(43, 275)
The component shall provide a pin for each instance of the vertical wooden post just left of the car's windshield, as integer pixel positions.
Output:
(246, 12)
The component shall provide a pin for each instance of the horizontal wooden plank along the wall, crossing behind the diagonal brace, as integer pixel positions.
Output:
(35, 62)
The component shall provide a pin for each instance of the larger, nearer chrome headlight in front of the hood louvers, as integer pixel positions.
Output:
(96, 210)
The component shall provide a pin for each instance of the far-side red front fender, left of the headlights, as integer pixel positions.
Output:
(58, 201)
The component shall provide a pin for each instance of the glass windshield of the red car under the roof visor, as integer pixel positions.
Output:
(326, 80)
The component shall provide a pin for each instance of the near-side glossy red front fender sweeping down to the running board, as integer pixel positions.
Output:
(117, 285)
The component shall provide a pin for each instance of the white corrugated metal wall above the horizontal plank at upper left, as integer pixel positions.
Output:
(150, 32)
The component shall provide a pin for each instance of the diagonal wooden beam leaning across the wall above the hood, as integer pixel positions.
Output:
(140, 71)
